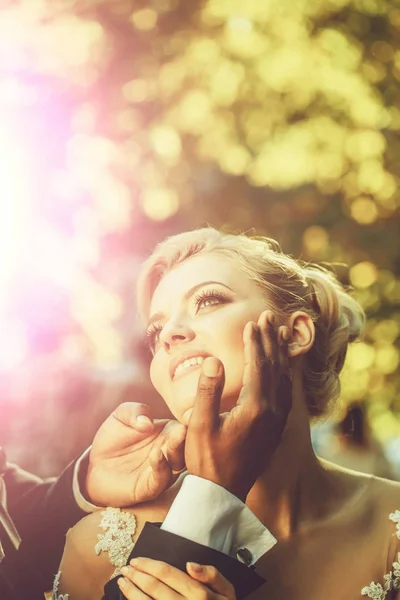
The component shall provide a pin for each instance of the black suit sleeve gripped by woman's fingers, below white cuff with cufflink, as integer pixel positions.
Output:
(177, 551)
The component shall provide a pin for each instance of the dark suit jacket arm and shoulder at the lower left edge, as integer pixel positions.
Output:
(42, 512)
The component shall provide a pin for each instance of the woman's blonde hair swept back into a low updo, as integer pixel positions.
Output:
(289, 284)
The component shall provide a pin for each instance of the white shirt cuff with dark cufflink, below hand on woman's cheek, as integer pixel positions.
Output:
(208, 514)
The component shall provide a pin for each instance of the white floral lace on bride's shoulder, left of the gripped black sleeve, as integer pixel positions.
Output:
(119, 528)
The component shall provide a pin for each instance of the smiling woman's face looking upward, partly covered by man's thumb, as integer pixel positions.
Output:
(199, 309)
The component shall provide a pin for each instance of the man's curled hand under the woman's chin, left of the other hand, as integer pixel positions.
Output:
(133, 457)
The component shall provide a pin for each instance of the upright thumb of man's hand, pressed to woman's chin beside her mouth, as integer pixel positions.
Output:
(205, 413)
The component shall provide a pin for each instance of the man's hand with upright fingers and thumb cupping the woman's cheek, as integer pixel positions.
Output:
(232, 449)
